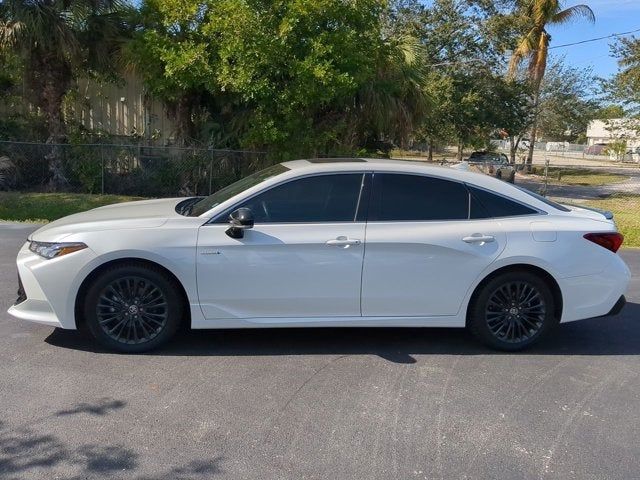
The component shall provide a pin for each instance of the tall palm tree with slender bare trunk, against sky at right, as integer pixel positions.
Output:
(534, 45)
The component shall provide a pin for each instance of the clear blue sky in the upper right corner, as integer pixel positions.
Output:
(612, 16)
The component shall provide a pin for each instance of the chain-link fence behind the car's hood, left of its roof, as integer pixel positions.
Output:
(123, 169)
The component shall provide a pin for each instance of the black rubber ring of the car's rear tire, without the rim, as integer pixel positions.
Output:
(477, 322)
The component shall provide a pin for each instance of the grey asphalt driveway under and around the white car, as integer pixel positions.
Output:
(319, 404)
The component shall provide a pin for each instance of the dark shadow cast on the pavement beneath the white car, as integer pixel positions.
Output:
(598, 336)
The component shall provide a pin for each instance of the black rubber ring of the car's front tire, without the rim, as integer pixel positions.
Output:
(156, 276)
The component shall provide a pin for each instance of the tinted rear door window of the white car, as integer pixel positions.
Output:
(414, 197)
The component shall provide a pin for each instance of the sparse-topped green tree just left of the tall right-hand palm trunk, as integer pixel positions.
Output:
(470, 99)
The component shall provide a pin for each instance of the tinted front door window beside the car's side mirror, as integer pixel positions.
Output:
(323, 198)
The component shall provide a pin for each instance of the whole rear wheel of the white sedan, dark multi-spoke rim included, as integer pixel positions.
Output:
(512, 311)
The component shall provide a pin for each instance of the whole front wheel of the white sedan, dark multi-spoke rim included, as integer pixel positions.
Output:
(133, 308)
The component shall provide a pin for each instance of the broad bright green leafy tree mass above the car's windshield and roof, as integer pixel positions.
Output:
(293, 77)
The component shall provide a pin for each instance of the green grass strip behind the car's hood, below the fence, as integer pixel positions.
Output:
(45, 207)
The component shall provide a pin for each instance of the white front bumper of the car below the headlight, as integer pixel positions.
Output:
(49, 287)
